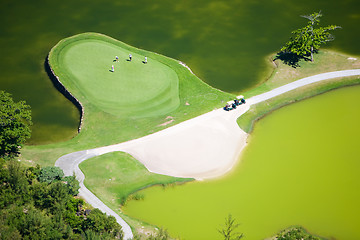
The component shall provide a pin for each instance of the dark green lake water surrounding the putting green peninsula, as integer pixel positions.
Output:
(224, 42)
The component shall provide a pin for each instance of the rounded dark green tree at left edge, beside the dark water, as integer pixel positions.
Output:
(15, 122)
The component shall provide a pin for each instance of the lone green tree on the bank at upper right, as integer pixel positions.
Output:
(305, 41)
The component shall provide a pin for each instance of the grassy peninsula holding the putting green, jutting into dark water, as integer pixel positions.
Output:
(135, 100)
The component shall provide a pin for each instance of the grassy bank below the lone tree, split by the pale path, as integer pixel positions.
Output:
(325, 61)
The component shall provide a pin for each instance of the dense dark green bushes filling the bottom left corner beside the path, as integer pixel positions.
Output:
(34, 207)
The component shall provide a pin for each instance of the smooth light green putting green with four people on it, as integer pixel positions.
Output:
(134, 88)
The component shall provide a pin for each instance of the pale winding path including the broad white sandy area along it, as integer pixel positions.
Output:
(203, 147)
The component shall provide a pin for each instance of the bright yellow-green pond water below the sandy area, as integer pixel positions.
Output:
(301, 167)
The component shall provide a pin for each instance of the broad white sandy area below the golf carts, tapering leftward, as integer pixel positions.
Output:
(204, 147)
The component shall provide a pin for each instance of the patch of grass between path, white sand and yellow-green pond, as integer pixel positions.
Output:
(119, 176)
